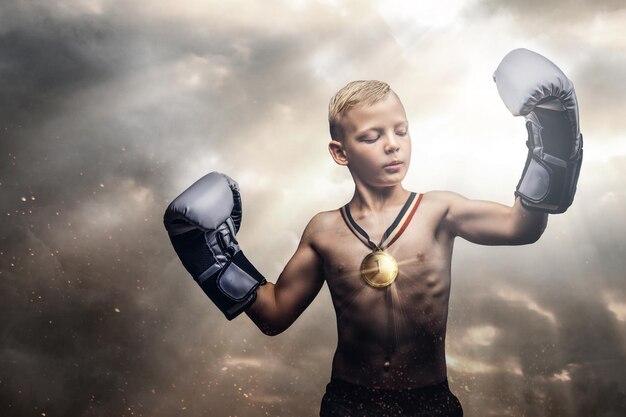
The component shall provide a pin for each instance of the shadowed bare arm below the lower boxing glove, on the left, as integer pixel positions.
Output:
(278, 305)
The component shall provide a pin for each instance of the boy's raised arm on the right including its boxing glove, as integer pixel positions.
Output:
(534, 87)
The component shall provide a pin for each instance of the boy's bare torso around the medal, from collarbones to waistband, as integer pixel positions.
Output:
(420, 297)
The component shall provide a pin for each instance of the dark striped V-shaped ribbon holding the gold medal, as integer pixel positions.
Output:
(393, 232)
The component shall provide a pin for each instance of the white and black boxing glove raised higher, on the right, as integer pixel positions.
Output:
(532, 86)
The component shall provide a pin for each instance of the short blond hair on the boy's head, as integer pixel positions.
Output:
(353, 94)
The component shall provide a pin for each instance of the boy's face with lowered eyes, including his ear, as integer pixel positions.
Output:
(377, 145)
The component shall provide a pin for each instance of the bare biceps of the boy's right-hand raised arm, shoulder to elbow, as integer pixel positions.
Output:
(483, 222)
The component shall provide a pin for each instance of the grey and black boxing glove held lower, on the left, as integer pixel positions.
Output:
(202, 223)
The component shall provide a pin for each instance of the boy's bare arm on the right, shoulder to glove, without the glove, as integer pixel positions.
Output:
(490, 223)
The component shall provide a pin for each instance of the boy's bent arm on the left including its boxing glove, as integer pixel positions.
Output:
(202, 223)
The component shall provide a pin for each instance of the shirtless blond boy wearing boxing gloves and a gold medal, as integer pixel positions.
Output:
(386, 255)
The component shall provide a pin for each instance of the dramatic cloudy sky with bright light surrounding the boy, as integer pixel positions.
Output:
(110, 108)
